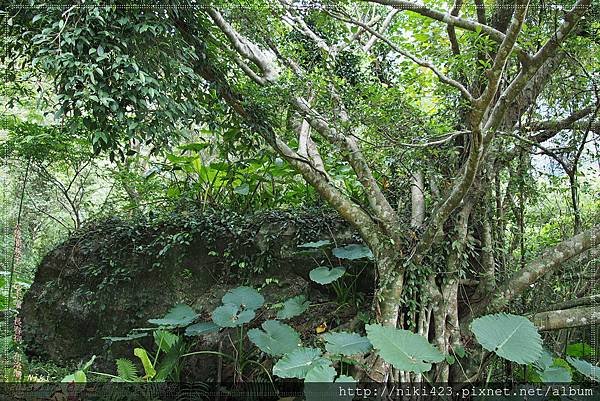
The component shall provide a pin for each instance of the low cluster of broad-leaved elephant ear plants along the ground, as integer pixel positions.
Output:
(513, 338)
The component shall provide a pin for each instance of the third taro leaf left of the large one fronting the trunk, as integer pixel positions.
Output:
(275, 338)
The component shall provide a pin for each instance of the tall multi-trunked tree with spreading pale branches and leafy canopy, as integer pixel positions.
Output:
(440, 99)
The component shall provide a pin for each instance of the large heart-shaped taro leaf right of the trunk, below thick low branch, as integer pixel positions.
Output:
(511, 337)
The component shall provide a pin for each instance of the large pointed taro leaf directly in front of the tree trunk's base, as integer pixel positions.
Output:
(403, 349)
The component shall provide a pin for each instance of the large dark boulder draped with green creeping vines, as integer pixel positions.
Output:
(114, 275)
